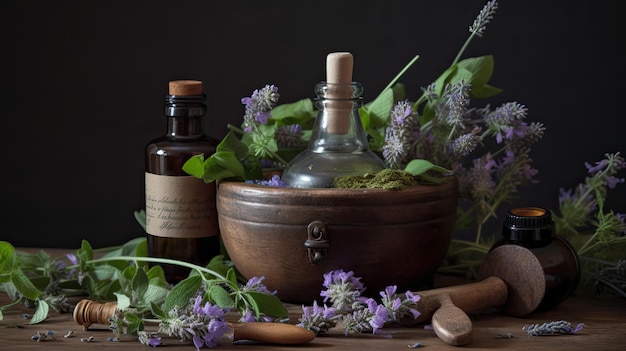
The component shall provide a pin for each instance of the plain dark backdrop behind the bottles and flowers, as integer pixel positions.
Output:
(83, 86)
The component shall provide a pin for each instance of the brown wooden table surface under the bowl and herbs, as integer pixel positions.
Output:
(604, 319)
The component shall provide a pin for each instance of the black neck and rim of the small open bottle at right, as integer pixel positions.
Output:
(527, 224)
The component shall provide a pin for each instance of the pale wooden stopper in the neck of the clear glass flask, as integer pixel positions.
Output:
(339, 67)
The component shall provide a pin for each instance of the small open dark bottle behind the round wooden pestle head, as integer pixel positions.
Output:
(533, 228)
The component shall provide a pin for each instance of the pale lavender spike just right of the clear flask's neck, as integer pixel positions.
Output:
(396, 150)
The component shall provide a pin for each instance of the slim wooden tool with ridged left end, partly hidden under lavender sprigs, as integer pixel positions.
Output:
(88, 312)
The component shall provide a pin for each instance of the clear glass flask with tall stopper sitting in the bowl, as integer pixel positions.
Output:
(338, 144)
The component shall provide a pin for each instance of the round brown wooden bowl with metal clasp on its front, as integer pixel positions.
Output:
(293, 236)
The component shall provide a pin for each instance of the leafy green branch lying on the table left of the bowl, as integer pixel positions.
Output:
(124, 275)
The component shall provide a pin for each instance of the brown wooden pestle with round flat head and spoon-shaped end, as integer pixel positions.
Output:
(512, 280)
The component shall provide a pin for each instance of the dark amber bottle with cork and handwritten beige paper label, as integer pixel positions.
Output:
(181, 218)
